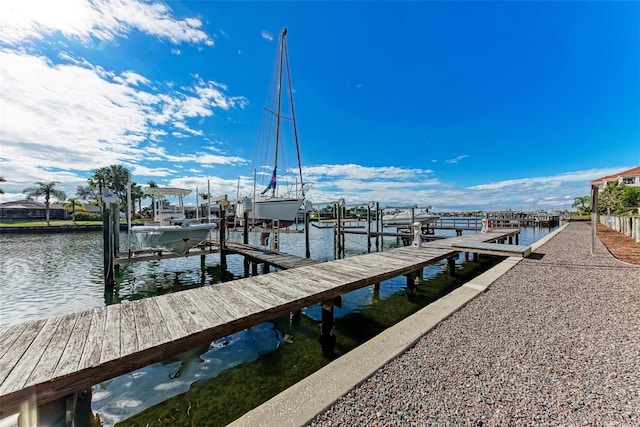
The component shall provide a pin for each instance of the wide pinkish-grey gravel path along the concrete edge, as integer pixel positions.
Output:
(554, 341)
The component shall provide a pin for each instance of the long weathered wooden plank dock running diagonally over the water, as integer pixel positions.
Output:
(47, 360)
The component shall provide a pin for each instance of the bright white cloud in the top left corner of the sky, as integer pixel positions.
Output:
(22, 20)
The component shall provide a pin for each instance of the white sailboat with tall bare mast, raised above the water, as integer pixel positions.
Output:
(272, 205)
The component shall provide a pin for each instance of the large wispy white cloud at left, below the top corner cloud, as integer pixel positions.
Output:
(85, 117)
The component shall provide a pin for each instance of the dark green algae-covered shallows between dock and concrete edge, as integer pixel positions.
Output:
(221, 400)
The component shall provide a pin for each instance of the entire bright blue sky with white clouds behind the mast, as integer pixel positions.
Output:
(456, 105)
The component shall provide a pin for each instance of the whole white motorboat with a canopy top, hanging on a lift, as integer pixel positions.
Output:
(170, 230)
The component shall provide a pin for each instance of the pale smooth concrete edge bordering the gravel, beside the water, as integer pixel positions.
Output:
(300, 403)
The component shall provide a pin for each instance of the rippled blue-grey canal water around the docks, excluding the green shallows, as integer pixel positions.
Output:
(53, 274)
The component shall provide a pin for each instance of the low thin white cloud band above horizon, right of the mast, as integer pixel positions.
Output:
(393, 186)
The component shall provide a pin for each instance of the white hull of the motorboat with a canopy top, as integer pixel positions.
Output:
(171, 238)
